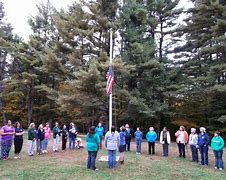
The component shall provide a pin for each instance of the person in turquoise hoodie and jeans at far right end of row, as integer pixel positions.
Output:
(217, 145)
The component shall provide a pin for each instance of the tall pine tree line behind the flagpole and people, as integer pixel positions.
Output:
(168, 71)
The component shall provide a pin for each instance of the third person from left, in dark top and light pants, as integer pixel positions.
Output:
(32, 137)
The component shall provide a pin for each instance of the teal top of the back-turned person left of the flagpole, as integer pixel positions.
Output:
(92, 142)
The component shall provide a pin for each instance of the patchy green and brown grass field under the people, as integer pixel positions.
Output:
(72, 165)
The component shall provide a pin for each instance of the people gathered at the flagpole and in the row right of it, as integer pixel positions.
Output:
(120, 141)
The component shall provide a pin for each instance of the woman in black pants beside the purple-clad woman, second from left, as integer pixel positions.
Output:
(18, 140)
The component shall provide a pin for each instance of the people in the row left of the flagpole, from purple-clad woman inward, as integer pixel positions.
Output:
(38, 139)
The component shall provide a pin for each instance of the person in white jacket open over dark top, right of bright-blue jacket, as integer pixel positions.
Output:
(165, 141)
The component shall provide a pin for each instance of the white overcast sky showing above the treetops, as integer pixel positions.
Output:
(18, 12)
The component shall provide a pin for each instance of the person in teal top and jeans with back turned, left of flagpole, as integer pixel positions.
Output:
(93, 141)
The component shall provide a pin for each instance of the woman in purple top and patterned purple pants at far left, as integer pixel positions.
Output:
(7, 133)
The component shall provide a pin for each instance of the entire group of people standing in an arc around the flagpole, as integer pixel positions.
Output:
(113, 140)
